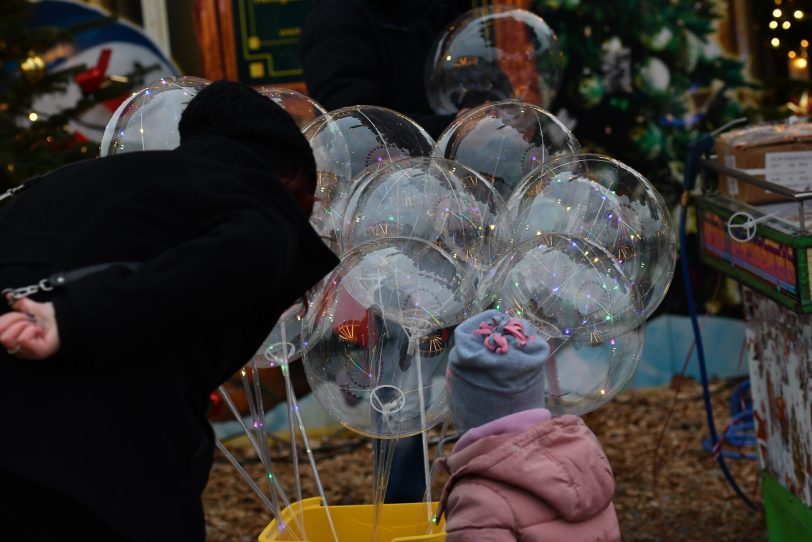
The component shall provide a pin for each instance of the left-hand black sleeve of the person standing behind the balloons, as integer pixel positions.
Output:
(339, 57)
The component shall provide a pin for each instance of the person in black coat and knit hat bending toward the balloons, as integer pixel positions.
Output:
(186, 259)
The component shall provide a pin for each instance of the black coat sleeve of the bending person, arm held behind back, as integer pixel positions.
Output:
(192, 290)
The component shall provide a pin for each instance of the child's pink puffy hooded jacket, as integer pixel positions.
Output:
(549, 482)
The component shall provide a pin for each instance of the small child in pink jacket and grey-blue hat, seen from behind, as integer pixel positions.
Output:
(516, 472)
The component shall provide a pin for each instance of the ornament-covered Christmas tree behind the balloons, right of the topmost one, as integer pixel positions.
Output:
(642, 79)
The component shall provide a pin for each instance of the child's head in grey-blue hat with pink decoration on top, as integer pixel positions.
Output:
(495, 369)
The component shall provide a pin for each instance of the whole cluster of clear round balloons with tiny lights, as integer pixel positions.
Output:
(503, 211)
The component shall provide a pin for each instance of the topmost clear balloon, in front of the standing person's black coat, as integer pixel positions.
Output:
(490, 54)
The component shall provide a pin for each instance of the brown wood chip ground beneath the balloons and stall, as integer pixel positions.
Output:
(673, 491)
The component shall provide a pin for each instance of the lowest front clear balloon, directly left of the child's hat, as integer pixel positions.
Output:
(378, 336)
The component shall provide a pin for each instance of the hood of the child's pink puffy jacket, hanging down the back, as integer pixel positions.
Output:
(559, 462)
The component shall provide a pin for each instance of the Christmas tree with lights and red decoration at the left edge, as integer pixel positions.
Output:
(32, 142)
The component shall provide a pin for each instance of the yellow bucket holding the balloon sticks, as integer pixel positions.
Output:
(355, 523)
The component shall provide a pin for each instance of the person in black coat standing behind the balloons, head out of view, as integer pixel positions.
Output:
(373, 52)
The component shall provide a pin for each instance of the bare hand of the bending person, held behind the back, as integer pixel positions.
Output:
(30, 332)
